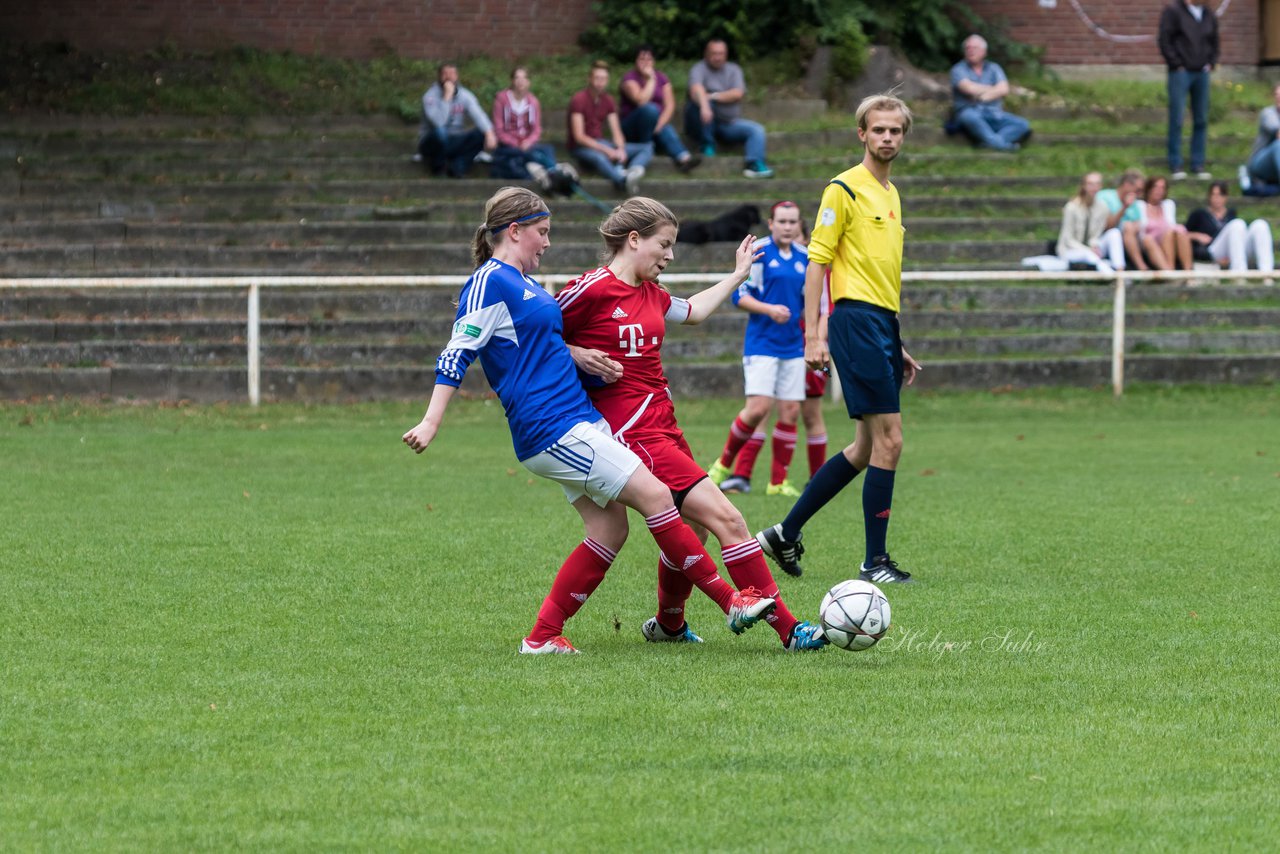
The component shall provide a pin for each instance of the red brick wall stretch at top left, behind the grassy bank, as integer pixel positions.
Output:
(355, 29)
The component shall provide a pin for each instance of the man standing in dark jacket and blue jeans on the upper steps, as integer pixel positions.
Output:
(1188, 42)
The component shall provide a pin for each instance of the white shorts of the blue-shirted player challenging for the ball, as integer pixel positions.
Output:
(587, 462)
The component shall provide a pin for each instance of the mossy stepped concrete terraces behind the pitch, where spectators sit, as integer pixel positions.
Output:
(163, 198)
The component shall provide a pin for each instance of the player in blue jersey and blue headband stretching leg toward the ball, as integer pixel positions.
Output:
(515, 327)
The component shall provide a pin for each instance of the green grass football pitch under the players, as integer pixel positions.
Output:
(280, 629)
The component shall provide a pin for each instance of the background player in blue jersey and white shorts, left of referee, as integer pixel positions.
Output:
(772, 355)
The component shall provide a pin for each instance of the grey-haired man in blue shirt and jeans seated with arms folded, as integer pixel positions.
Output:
(979, 90)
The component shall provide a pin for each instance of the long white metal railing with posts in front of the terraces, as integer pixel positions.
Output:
(254, 287)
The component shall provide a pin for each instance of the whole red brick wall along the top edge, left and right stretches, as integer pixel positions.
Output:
(510, 29)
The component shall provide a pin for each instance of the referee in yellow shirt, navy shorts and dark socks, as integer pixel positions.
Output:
(858, 238)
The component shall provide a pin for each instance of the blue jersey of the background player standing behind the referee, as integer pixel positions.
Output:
(778, 280)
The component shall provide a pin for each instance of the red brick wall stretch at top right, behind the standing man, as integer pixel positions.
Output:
(1068, 38)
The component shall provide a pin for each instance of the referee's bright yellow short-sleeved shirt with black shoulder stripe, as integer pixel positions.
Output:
(861, 238)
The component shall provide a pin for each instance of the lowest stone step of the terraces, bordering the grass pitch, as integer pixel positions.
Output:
(216, 385)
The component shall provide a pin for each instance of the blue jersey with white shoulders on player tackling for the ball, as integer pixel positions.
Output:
(518, 331)
